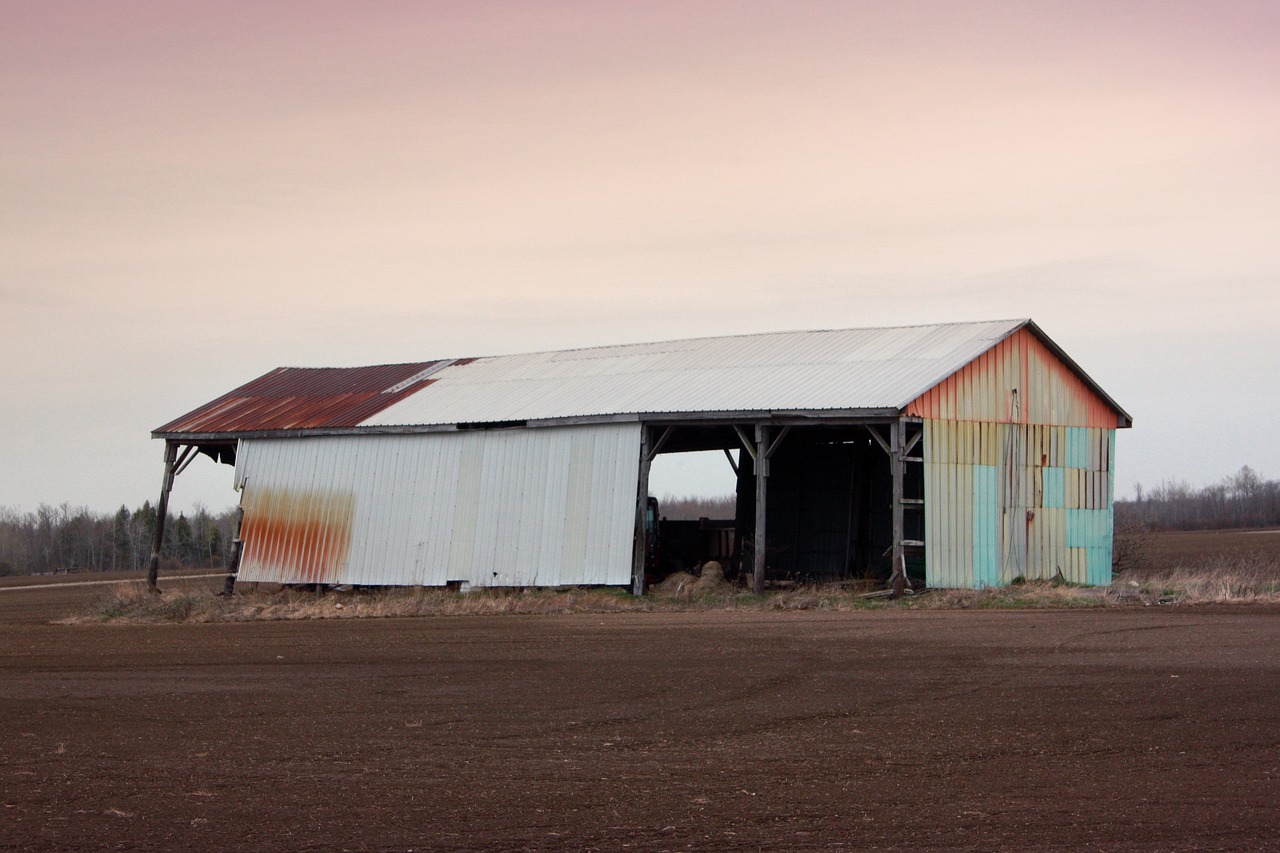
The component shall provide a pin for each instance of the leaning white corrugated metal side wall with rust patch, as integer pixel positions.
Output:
(514, 508)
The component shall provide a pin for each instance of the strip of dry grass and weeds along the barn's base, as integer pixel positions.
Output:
(1220, 582)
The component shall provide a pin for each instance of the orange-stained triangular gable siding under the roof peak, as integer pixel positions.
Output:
(1020, 381)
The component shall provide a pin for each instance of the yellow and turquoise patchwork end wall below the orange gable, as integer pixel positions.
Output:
(1007, 501)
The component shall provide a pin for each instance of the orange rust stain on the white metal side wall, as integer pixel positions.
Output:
(294, 536)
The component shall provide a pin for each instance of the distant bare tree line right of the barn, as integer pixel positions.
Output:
(1244, 500)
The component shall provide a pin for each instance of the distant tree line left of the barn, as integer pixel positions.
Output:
(66, 539)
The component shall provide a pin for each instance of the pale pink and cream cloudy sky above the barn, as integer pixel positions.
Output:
(193, 194)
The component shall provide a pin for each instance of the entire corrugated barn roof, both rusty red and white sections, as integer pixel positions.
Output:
(845, 370)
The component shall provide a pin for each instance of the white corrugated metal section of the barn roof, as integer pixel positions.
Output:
(876, 368)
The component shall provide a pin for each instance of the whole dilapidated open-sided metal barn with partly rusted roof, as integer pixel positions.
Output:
(962, 455)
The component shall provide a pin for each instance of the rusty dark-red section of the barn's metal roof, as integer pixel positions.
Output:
(307, 399)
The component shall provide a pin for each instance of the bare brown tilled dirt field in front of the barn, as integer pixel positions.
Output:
(1145, 729)
